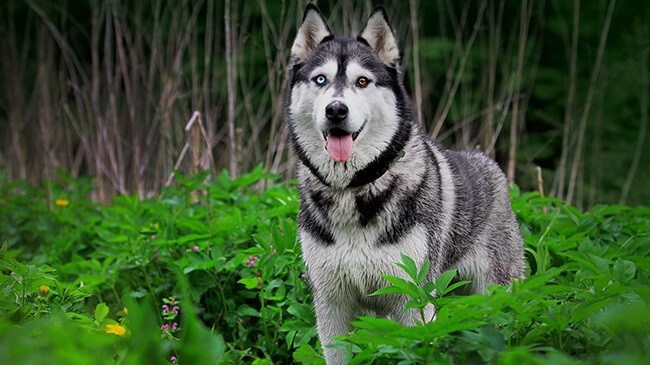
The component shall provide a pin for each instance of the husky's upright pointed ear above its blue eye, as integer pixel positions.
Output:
(311, 33)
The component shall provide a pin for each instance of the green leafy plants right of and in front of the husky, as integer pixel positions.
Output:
(585, 298)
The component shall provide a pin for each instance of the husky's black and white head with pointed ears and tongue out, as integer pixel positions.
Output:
(347, 111)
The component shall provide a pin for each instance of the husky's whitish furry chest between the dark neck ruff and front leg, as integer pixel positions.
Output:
(352, 262)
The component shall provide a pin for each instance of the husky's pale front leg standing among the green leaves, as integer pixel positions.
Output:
(333, 317)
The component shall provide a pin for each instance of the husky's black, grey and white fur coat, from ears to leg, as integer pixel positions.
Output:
(398, 193)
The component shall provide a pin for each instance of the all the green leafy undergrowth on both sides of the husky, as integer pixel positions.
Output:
(211, 272)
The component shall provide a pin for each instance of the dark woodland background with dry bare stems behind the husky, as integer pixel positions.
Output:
(556, 91)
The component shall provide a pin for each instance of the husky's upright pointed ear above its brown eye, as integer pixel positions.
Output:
(380, 37)
